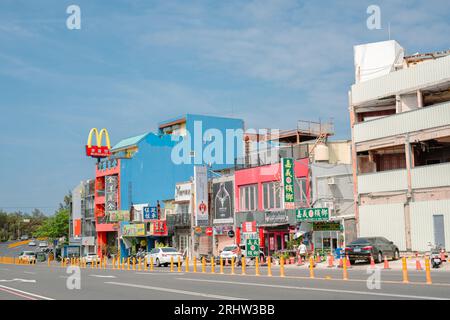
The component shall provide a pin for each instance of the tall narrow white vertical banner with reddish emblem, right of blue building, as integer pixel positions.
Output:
(201, 196)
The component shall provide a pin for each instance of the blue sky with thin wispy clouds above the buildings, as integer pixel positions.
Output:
(135, 63)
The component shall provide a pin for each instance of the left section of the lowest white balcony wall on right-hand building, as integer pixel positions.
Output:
(384, 181)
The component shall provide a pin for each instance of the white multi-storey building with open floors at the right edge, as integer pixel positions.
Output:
(400, 117)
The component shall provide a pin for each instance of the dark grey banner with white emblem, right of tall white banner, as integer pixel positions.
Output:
(223, 202)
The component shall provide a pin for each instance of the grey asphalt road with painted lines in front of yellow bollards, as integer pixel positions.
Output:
(43, 282)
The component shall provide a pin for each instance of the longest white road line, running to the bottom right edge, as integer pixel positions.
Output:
(317, 289)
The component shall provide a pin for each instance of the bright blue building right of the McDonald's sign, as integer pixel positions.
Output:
(152, 163)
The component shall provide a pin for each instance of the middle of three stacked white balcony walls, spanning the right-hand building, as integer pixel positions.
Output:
(402, 123)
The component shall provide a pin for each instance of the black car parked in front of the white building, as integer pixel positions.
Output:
(377, 247)
